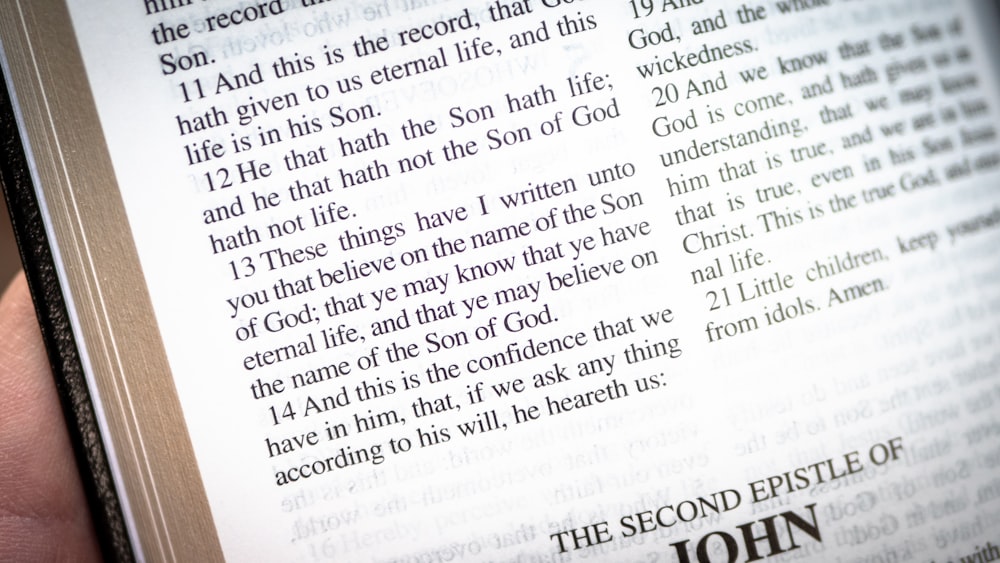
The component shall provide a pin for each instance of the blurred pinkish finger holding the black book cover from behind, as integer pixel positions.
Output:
(43, 514)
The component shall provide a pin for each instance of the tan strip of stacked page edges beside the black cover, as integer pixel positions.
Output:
(164, 494)
